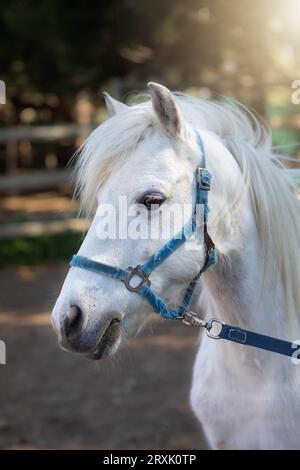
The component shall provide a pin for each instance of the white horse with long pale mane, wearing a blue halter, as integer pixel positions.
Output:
(245, 398)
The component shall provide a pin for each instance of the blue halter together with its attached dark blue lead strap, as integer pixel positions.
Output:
(215, 328)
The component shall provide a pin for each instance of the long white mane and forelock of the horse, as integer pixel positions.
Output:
(250, 142)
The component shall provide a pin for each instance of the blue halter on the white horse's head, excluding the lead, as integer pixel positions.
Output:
(143, 272)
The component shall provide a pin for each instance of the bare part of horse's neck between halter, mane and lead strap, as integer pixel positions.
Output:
(234, 291)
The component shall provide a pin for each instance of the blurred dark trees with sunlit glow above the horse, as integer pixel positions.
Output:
(51, 50)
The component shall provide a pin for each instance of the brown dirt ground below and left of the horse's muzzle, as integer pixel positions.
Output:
(52, 399)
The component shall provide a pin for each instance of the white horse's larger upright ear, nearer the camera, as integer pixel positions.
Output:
(166, 109)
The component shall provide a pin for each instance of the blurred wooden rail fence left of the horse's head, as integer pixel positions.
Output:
(14, 181)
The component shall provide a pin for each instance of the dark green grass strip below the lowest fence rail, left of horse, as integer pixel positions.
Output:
(36, 250)
